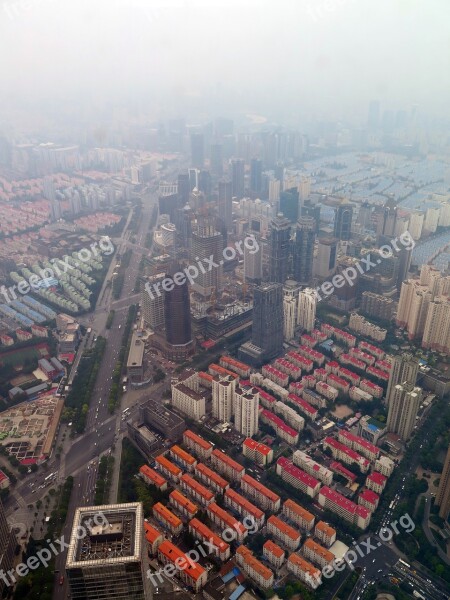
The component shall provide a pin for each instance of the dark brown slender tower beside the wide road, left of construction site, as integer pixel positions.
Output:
(177, 313)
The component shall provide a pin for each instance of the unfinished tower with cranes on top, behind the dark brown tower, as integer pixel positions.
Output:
(207, 243)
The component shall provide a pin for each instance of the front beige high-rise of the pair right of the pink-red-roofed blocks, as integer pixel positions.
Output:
(404, 405)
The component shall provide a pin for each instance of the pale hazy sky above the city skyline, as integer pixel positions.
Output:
(325, 57)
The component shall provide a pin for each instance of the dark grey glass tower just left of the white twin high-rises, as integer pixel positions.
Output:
(267, 329)
